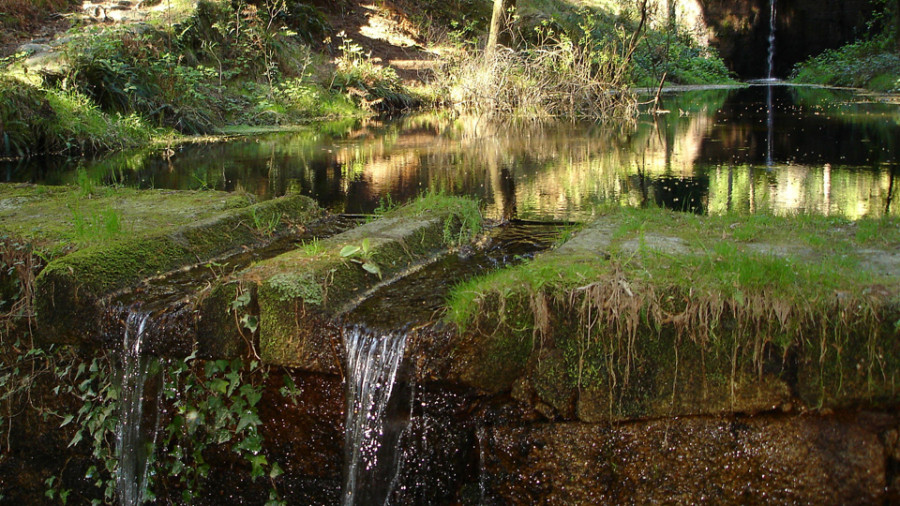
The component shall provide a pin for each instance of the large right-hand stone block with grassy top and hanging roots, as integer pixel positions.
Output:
(742, 301)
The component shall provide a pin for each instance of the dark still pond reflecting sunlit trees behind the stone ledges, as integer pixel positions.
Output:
(814, 150)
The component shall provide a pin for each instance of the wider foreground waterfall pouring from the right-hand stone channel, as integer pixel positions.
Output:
(370, 467)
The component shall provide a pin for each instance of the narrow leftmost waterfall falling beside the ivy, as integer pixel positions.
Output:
(135, 438)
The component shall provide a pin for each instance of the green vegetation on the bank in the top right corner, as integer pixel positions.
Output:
(872, 61)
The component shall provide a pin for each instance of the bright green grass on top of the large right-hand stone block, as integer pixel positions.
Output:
(801, 260)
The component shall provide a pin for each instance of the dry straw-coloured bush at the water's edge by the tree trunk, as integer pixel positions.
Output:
(556, 77)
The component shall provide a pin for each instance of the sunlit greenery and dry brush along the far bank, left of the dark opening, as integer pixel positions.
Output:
(196, 69)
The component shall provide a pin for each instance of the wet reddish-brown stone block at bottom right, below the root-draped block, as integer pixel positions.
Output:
(771, 459)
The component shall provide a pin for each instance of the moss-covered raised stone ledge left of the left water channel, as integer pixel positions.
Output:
(70, 290)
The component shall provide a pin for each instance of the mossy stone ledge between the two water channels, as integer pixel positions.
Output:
(301, 295)
